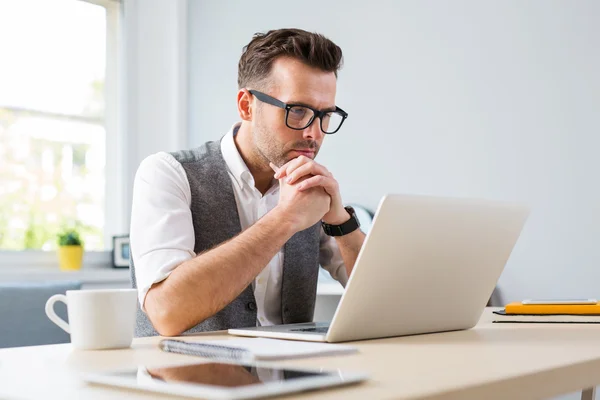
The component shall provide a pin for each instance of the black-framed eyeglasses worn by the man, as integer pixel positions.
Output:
(299, 116)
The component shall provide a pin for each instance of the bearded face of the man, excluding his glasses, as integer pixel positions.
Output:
(292, 82)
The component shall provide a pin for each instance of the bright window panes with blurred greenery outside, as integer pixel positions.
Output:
(57, 109)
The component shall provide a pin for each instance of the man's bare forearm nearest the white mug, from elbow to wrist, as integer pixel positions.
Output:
(199, 288)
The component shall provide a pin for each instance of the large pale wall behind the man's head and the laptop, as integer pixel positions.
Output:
(466, 98)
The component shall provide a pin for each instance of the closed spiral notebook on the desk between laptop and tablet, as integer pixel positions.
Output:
(245, 349)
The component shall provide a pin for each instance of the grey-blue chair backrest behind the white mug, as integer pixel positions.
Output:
(23, 320)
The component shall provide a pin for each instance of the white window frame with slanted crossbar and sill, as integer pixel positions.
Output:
(115, 207)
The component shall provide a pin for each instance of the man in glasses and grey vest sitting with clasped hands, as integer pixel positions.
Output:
(231, 234)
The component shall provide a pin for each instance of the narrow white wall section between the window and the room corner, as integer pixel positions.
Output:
(154, 90)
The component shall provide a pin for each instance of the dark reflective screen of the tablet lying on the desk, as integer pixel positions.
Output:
(219, 374)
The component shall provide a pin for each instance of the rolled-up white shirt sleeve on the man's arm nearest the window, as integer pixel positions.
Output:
(161, 231)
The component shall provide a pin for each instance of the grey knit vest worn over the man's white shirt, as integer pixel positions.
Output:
(215, 219)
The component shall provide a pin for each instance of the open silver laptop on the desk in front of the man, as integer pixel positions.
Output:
(428, 264)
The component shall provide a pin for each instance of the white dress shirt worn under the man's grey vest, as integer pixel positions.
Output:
(162, 233)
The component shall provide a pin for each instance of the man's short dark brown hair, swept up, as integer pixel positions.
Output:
(313, 49)
